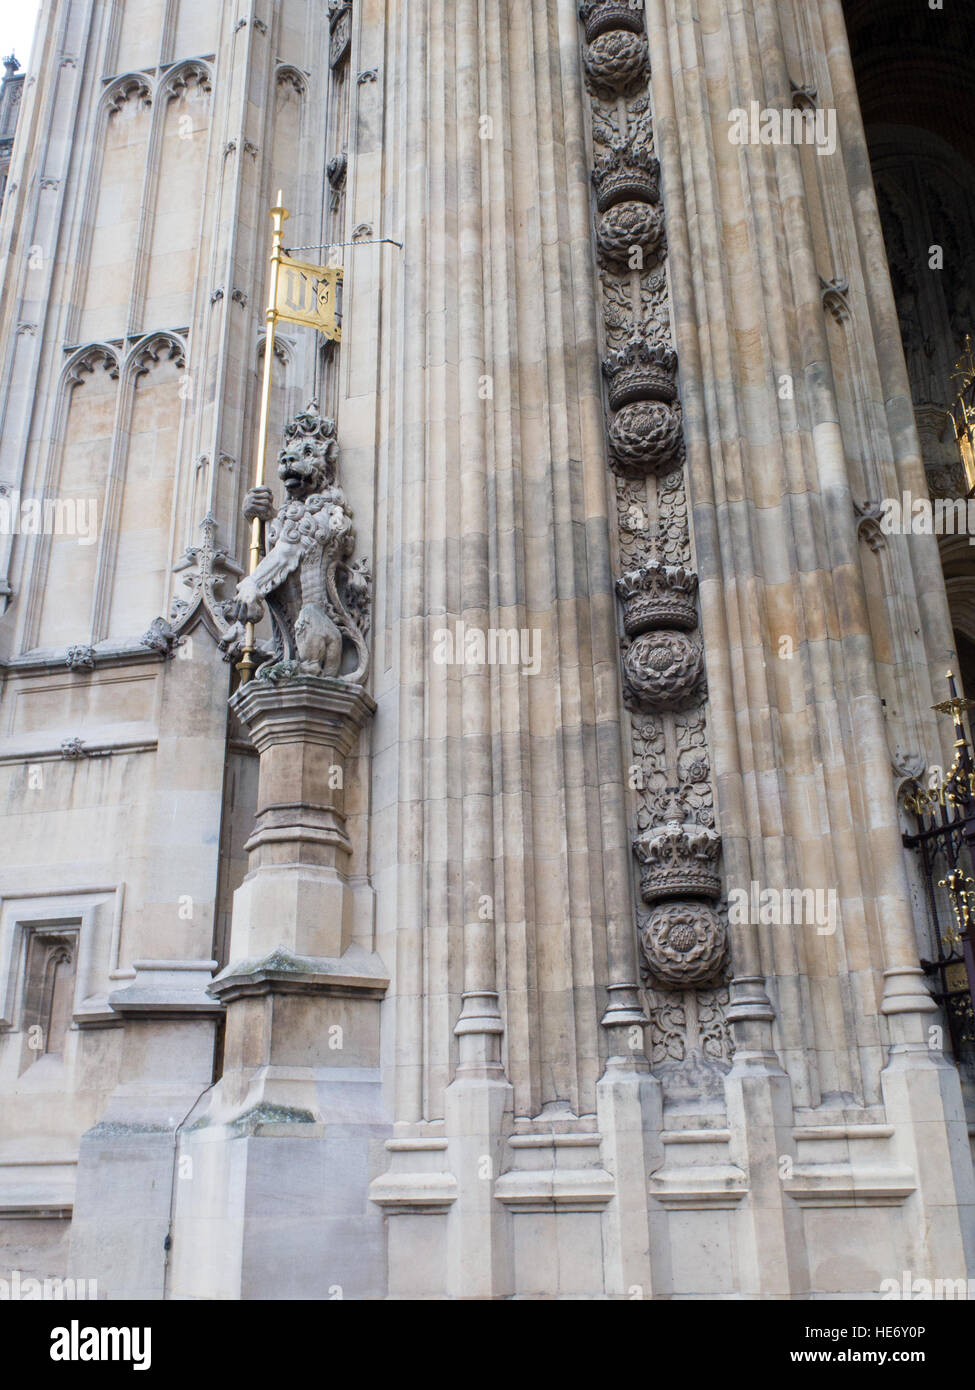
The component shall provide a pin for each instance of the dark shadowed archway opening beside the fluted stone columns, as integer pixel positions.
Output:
(916, 77)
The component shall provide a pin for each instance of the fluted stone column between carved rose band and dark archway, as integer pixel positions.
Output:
(803, 736)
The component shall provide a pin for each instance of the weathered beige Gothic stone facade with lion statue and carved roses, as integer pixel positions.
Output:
(435, 961)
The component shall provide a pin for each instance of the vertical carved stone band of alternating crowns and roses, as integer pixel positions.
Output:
(682, 938)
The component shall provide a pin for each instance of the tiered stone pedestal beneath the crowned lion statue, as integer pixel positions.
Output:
(272, 1197)
